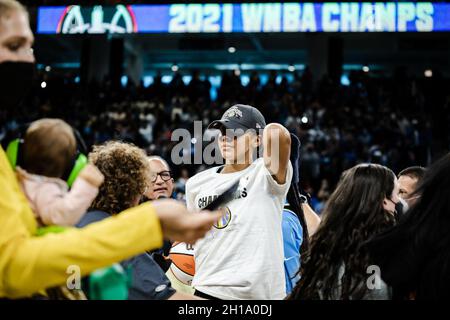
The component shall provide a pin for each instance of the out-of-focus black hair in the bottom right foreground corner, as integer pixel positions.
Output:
(415, 255)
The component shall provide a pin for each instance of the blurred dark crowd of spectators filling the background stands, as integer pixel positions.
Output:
(396, 121)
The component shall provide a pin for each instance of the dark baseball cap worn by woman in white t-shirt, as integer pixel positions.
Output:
(240, 117)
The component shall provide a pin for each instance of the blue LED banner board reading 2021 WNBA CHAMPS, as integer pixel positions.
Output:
(247, 17)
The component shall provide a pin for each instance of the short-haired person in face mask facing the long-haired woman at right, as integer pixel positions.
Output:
(408, 180)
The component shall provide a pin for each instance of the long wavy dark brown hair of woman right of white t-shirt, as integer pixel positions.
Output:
(353, 215)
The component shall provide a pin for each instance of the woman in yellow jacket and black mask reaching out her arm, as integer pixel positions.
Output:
(30, 264)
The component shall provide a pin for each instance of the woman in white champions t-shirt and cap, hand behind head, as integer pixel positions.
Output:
(242, 256)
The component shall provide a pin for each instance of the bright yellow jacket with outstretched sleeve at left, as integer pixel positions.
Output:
(29, 264)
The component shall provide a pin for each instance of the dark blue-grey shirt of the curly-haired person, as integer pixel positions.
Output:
(149, 280)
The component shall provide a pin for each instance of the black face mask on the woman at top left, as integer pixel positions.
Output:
(16, 81)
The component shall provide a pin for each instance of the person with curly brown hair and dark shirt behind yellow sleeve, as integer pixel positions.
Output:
(126, 170)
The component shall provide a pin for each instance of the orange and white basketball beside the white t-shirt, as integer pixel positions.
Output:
(183, 263)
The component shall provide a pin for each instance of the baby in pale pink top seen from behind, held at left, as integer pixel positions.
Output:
(49, 151)
